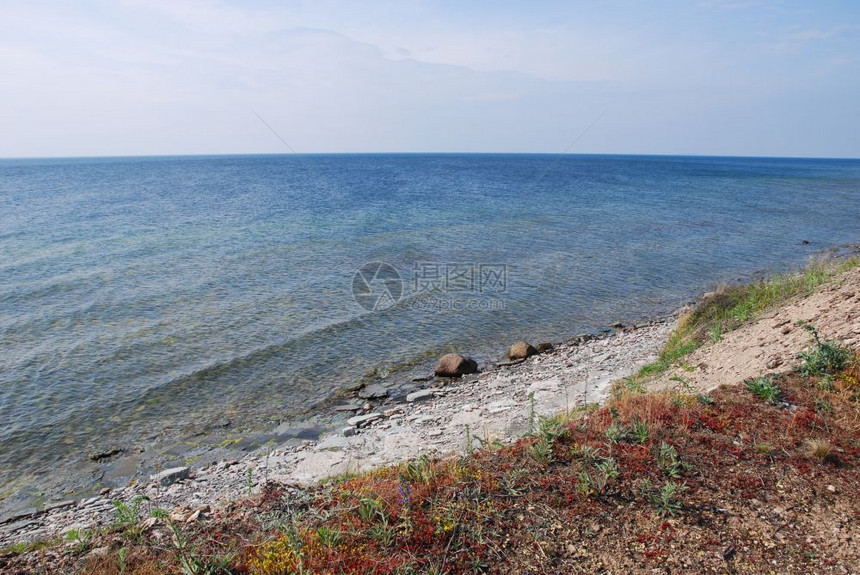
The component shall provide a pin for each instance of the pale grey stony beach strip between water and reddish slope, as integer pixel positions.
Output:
(444, 418)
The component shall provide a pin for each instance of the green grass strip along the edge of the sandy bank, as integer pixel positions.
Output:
(728, 308)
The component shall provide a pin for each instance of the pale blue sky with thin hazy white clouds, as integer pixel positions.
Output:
(163, 77)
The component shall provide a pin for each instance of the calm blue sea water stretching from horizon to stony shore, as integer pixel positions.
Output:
(140, 294)
